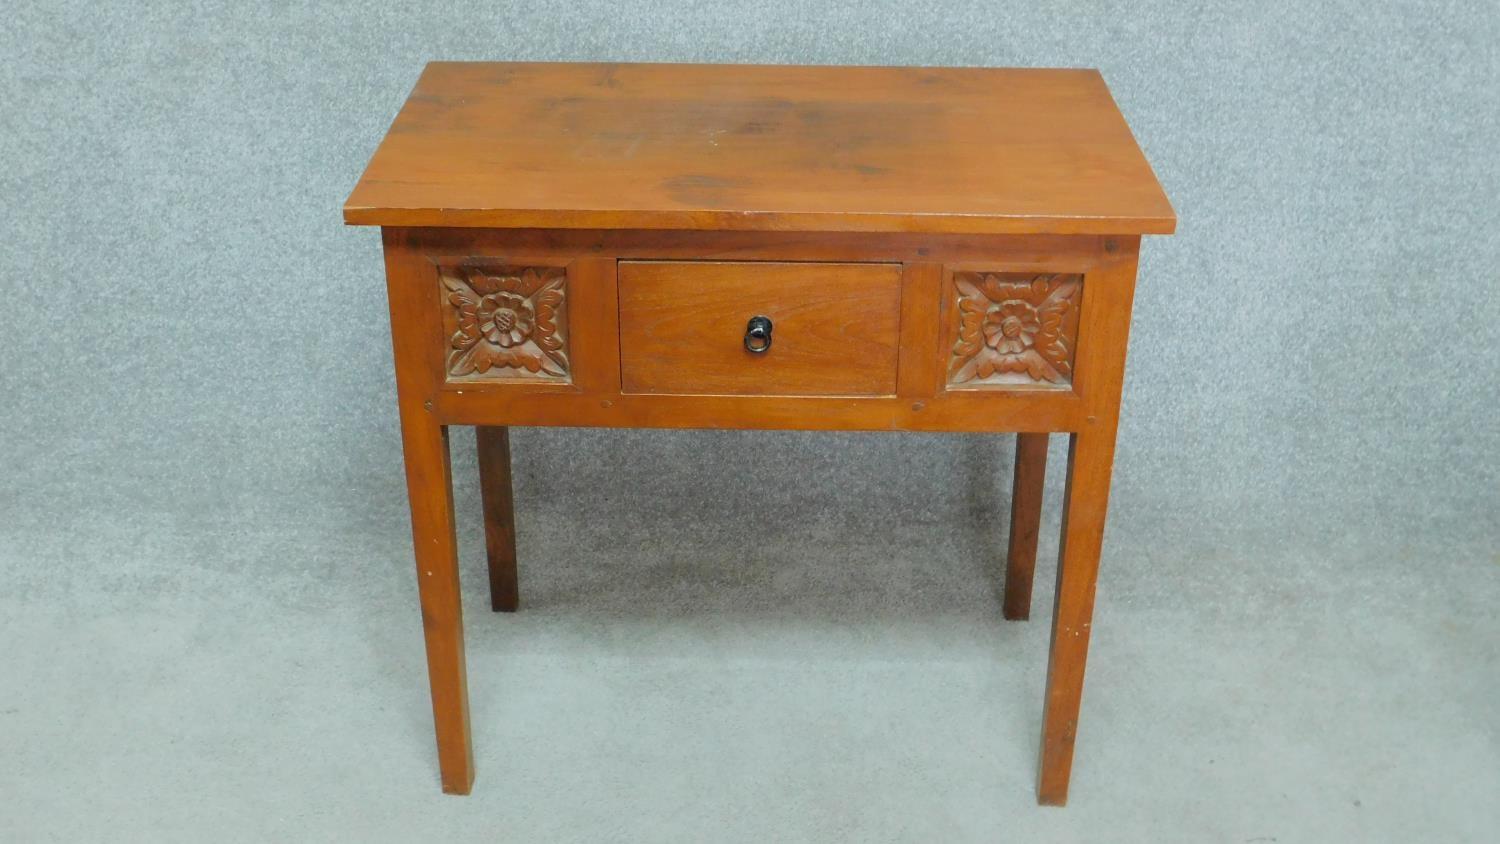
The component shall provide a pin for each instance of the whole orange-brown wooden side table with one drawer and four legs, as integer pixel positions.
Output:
(760, 248)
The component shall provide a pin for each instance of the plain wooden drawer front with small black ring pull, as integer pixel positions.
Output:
(833, 328)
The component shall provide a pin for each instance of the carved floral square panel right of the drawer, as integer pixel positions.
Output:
(1015, 329)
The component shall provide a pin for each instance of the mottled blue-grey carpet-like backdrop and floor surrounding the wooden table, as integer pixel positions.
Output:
(208, 608)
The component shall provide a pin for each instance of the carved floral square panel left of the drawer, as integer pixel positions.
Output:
(506, 323)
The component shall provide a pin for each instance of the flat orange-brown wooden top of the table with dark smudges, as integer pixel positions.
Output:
(761, 148)
